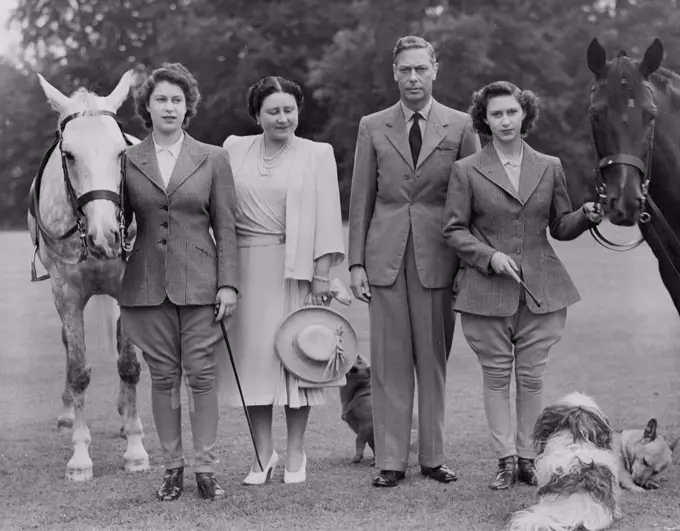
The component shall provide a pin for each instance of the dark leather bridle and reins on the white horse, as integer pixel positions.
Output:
(78, 202)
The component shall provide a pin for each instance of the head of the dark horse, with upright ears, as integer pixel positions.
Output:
(622, 112)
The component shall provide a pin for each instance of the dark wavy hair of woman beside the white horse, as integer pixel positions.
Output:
(174, 73)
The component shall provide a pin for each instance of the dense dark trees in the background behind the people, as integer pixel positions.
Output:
(339, 52)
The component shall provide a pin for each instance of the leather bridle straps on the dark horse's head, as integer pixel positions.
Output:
(644, 167)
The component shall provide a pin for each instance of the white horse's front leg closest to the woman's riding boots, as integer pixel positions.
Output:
(135, 458)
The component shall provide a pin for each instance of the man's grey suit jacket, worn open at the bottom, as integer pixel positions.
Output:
(389, 196)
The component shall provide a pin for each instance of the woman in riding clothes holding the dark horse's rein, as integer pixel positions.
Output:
(500, 203)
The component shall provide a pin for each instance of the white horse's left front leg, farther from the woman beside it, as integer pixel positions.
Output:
(70, 305)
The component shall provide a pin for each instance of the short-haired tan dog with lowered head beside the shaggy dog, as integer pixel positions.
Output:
(642, 455)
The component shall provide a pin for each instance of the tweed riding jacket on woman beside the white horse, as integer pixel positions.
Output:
(174, 254)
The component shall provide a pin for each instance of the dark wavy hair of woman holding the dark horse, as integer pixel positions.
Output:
(480, 99)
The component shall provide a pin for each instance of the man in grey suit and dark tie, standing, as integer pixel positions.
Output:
(400, 263)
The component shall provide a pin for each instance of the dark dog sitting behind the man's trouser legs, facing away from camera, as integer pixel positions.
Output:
(357, 409)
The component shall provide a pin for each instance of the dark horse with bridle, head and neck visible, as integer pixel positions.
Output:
(635, 120)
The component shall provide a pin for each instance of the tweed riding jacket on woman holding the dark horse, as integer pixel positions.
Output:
(485, 214)
